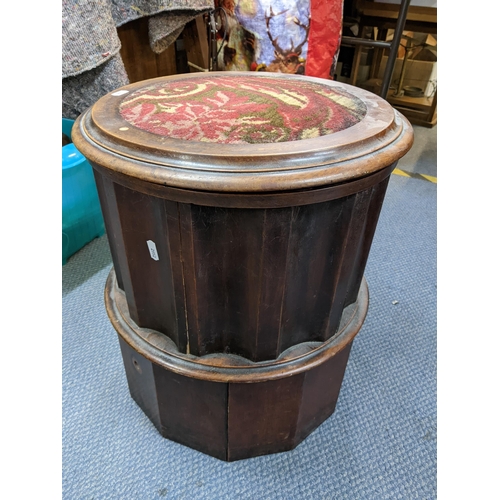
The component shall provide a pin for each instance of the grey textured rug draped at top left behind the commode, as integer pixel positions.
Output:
(91, 62)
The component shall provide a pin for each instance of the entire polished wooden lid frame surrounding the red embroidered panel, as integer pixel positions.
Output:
(379, 139)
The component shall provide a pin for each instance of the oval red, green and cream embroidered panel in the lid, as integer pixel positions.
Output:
(235, 110)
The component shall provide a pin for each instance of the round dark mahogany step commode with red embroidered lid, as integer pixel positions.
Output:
(240, 210)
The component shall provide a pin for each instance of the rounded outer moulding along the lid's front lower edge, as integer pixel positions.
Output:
(306, 171)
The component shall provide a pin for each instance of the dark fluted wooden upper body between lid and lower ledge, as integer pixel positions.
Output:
(251, 282)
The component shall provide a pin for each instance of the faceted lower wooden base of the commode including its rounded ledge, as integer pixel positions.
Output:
(224, 405)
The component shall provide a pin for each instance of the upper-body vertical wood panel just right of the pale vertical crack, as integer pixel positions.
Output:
(227, 246)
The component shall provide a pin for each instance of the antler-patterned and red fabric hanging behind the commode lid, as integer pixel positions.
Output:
(285, 36)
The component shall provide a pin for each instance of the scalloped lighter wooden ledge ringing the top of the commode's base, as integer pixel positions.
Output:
(158, 349)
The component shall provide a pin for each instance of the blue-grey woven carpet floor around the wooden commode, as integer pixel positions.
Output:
(379, 444)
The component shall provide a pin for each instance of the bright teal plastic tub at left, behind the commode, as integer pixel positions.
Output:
(82, 219)
